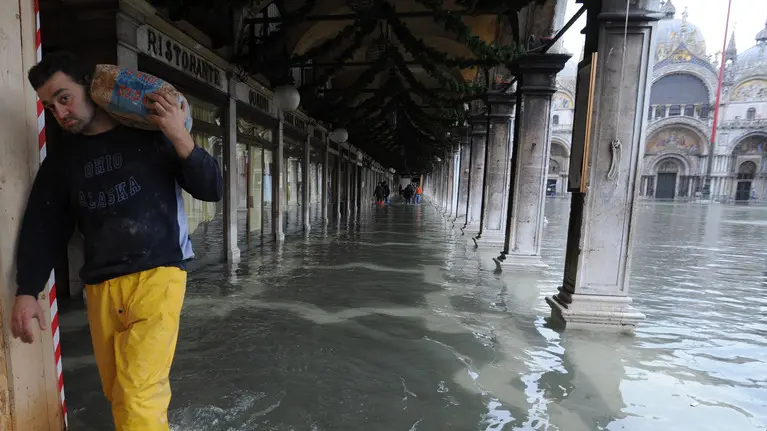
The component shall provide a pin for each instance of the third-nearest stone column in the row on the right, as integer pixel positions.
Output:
(497, 154)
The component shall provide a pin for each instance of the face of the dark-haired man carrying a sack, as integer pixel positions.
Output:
(68, 101)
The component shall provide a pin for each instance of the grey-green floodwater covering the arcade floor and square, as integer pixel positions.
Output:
(396, 323)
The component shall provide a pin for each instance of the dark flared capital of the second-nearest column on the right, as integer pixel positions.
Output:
(538, 72)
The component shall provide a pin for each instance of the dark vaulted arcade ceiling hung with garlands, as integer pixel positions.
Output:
(398, 74)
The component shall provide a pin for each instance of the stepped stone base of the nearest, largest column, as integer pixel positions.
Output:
(606, 312)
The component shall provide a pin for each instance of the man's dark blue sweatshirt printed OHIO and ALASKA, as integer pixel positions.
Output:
(123, 189)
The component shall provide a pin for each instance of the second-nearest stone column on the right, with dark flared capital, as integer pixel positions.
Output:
(537, 75)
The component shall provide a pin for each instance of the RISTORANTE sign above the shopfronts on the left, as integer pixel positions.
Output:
(163, 48)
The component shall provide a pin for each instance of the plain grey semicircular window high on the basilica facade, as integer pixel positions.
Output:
(679, 88)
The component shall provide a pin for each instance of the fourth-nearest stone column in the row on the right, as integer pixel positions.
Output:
(477, 173)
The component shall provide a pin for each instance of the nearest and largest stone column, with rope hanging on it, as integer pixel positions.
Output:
(597, 261)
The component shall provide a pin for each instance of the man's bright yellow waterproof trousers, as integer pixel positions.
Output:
(134, 326)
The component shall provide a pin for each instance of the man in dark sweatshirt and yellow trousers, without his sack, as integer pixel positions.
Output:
(122, 187)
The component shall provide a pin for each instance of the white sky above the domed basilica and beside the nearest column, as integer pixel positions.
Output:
(747, 18)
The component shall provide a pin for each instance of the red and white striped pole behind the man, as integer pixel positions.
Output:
(51, 284)
